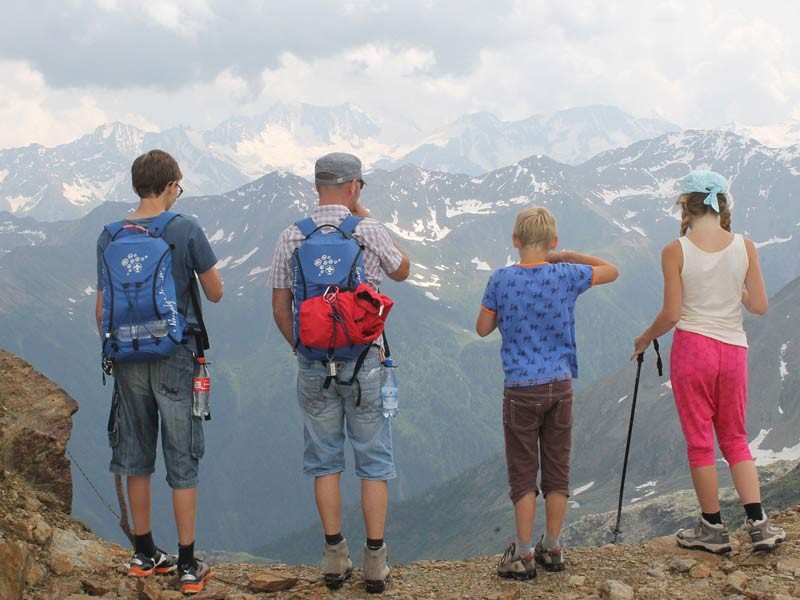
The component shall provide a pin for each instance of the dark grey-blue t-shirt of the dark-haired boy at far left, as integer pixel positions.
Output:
(192, 254)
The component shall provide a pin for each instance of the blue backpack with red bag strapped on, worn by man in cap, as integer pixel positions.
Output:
(323, 260)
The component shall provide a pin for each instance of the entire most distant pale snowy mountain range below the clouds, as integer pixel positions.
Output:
(69, 180)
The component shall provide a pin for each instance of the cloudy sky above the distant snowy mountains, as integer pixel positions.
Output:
(67, 66)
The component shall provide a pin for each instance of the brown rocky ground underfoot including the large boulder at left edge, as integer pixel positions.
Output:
(46, 554)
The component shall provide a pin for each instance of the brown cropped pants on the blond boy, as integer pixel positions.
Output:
(533, 417)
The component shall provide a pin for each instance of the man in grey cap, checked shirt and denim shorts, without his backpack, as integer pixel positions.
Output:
(339, 184)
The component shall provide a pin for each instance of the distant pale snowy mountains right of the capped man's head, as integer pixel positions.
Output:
(481, 142)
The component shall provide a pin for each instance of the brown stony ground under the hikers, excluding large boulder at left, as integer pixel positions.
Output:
(46, 554)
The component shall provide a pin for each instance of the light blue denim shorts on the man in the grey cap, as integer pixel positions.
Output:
(328, 412)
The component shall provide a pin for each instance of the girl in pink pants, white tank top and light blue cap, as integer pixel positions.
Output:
(709, 273)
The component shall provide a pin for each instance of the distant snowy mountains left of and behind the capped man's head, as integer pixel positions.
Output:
(67, 181)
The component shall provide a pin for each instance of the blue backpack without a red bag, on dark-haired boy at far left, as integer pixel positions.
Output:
(141, 320)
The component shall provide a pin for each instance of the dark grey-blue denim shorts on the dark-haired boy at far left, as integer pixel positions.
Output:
(143, 392)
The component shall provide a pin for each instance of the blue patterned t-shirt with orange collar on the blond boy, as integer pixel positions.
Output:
(535, 308)
